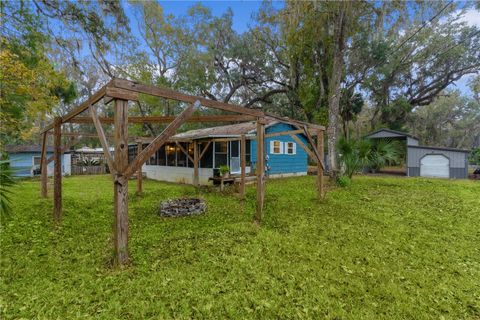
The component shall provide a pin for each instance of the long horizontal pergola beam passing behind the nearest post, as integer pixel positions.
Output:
(168, 119)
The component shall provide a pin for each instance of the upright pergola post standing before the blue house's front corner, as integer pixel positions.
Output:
(260, 169)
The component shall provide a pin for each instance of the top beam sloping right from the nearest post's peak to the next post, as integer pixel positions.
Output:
(178, 96)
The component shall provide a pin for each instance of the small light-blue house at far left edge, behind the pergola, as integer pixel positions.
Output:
(25, 159)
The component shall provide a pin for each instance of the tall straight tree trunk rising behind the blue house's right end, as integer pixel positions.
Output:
(335, 89)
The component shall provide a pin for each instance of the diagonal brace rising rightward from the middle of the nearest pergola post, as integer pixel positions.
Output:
(161, 139)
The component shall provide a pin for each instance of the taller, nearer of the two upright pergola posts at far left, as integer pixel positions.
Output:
(57, 173)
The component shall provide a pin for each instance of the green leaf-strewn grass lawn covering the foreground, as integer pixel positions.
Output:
(393, 248)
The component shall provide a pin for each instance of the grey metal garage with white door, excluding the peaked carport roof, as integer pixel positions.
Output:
(437, 162)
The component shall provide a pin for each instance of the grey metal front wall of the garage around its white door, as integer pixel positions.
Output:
(458, 161)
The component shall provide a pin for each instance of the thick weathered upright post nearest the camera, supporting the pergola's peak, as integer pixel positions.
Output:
(120, 185)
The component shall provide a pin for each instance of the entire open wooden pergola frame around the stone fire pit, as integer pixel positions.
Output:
(120, 91)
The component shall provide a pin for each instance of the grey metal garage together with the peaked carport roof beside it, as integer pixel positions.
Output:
(426, 161)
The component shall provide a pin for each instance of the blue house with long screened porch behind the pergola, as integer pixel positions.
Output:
(220, 146)
